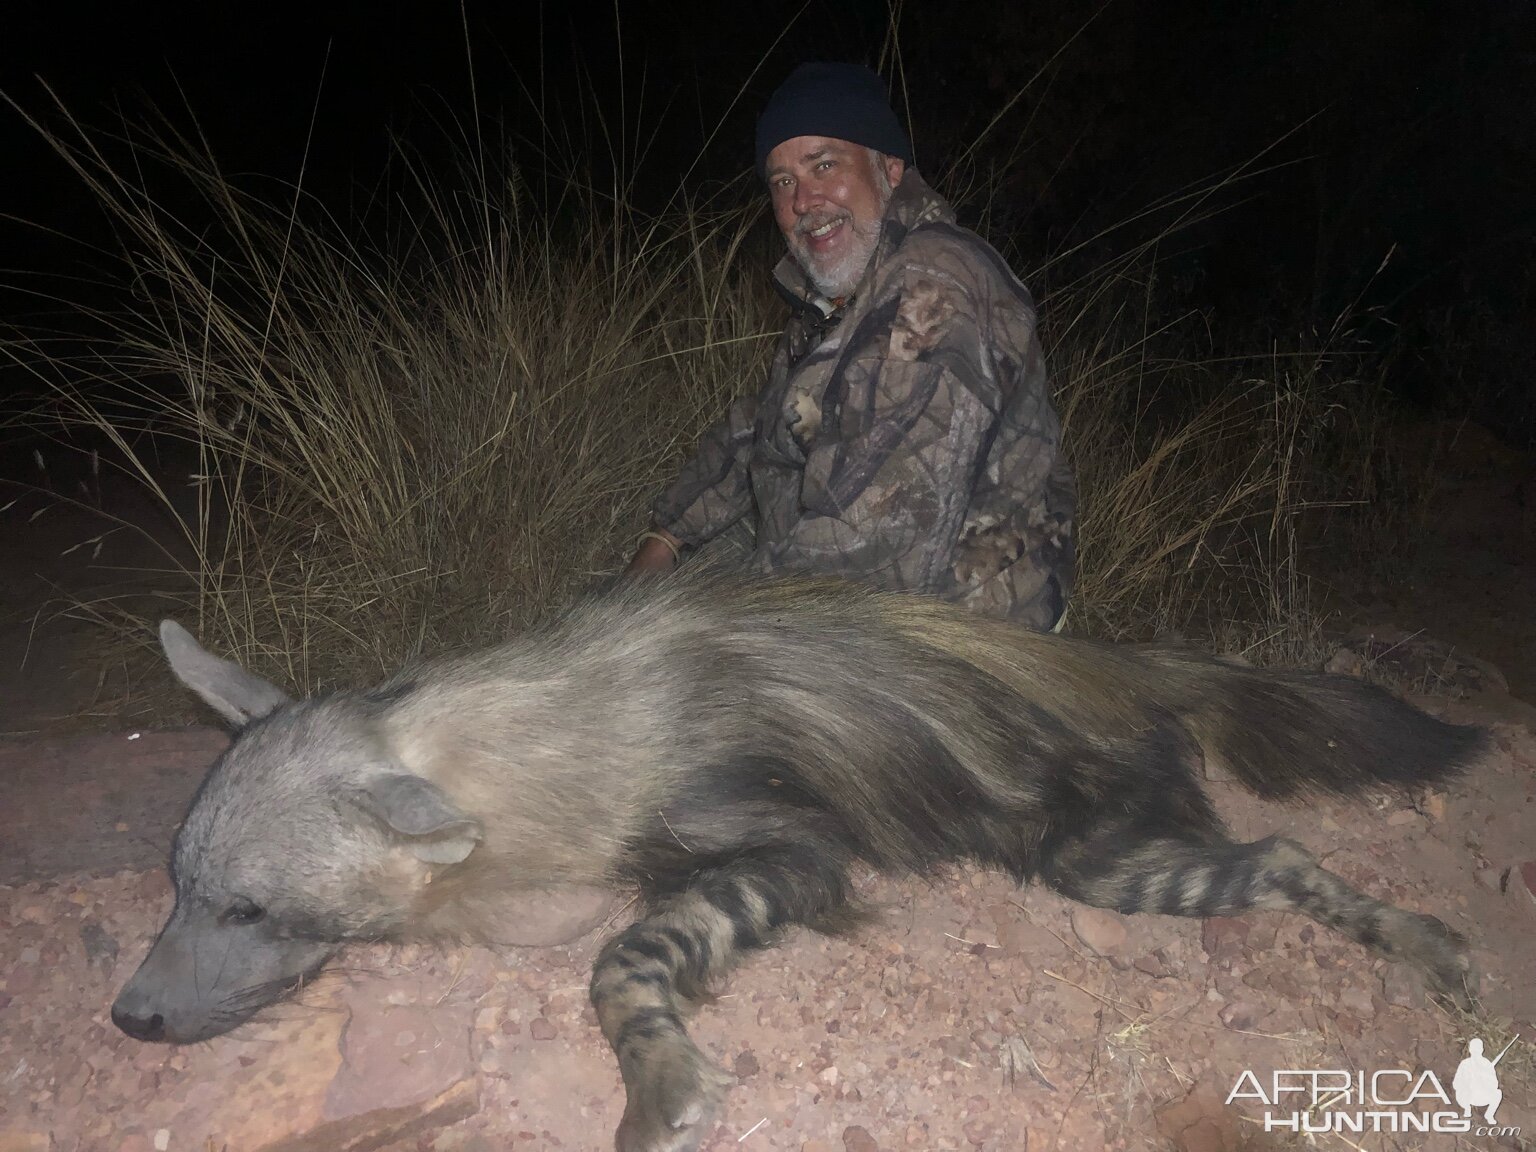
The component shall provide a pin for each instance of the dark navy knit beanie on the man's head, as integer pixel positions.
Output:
(844, 102)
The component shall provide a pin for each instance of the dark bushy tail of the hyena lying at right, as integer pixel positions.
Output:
(1291, 735)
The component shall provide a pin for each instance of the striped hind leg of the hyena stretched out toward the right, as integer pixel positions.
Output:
(1213, 876)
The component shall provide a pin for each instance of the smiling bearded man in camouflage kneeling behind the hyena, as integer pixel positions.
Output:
(905, 435)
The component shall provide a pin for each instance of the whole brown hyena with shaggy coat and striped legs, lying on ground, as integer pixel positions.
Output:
(727, 749)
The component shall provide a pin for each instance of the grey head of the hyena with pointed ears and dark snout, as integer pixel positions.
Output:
(305, 836)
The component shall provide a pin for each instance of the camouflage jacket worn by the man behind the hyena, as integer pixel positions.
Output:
(905, 439)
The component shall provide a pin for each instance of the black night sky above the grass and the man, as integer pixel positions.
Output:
(1405, 124)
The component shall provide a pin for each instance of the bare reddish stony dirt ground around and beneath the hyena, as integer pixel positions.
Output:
(970, 1016)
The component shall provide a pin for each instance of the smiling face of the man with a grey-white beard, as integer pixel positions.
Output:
(829, 199)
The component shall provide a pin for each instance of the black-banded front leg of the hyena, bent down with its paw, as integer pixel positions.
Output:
(690, 939)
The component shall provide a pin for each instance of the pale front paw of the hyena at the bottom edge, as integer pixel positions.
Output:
(672, 1104)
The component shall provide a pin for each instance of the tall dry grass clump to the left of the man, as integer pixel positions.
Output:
(400, 449)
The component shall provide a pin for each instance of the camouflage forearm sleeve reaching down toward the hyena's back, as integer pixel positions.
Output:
(712, 491)
